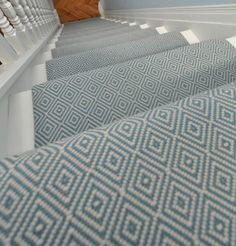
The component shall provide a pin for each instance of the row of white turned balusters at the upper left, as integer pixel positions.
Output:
(22, 24)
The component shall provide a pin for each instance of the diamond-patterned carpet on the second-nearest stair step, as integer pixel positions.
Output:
(71, 105)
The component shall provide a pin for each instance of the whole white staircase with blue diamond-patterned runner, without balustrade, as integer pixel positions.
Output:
(126, 137)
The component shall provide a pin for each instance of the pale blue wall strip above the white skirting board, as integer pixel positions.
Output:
(136, 4)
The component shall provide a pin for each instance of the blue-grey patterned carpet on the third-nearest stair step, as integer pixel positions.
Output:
(101, 57)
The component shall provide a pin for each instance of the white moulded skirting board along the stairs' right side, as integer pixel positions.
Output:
(207, 22)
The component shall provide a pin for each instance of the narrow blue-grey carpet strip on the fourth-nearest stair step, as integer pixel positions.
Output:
(132, 35)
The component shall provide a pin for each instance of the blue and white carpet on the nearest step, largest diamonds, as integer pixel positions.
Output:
(163, 177)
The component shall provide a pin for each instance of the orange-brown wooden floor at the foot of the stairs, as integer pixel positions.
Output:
(71, 10)
